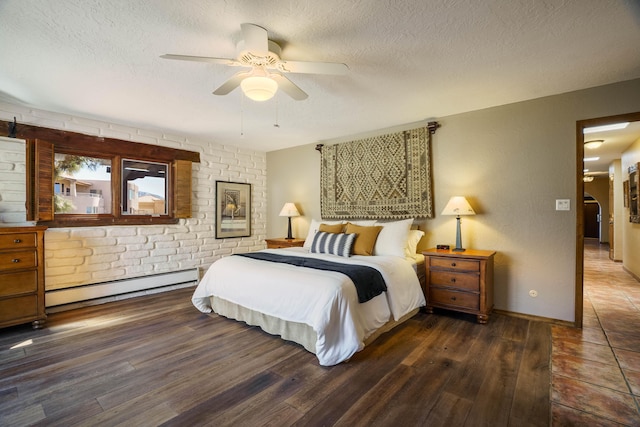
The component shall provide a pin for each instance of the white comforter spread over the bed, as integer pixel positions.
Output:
(325, 300)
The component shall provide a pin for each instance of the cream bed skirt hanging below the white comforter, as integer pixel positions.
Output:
(299, 333)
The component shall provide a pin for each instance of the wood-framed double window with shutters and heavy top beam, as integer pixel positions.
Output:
(80, 180)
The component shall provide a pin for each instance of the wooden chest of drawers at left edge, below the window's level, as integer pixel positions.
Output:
(22, 276)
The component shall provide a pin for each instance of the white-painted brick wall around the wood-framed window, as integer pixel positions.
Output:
(87, 255)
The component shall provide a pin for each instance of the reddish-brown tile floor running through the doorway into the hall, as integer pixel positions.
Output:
(595, 371)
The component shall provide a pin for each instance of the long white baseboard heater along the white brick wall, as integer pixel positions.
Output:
(118, 288)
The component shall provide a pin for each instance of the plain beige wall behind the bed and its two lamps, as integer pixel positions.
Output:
(512, 162)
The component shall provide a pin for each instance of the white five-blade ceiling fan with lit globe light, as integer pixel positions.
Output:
(266, 69)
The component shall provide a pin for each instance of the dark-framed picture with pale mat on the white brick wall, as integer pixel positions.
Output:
(233, 209)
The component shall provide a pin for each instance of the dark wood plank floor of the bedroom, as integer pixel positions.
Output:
(156, 360)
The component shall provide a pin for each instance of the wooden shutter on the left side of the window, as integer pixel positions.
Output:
(40, 180)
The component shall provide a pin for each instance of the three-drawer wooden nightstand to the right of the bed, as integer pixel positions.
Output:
(461, 281)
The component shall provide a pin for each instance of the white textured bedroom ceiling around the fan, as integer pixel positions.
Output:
(409, 60)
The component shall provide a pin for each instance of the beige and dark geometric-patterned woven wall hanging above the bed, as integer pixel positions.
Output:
(382, 177)
